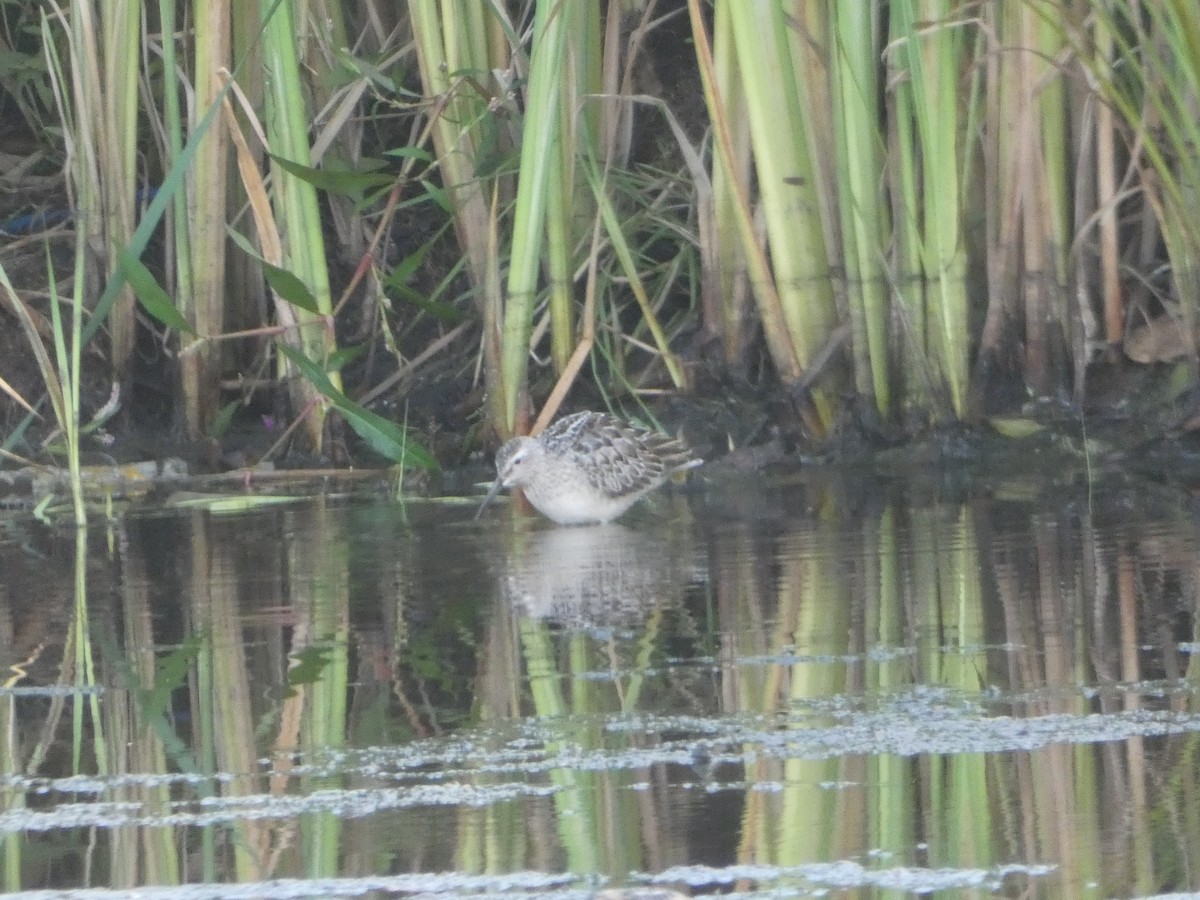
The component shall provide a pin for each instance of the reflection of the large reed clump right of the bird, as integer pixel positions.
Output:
(1031, 620)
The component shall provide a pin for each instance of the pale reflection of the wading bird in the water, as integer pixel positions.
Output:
(592, 575)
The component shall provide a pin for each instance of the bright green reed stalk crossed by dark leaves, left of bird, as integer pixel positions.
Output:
(297, 211)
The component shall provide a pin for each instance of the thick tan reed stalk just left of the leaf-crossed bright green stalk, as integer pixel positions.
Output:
(201, 236)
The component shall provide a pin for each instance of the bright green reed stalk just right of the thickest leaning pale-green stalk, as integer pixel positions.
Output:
(855, 31)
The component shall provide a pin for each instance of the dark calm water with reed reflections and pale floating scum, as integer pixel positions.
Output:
(812, 686)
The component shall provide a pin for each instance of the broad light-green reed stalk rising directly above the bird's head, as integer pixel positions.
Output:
(538, 155)
